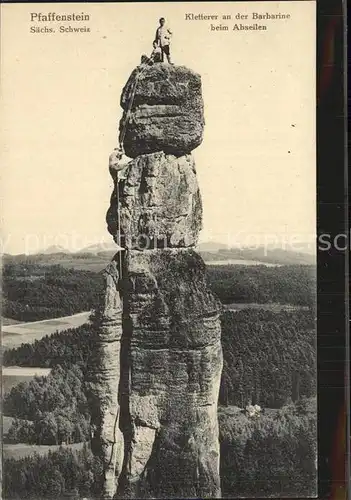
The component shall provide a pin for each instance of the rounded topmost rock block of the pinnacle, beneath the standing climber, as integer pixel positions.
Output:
(167, 113)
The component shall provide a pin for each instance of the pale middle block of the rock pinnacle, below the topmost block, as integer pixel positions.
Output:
(159, 203)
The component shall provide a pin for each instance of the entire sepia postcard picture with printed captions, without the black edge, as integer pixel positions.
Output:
(158, 241)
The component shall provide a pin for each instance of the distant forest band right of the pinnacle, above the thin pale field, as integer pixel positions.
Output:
(286, 284)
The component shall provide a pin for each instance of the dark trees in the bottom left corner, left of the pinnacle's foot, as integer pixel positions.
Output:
(62, 474)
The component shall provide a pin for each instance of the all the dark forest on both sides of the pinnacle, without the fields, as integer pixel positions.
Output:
(269, 359)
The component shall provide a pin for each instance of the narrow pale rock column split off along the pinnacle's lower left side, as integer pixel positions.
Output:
(104, 378)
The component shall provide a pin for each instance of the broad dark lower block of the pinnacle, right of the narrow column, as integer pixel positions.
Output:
(171, 432)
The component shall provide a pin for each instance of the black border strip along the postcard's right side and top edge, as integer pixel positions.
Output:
(333, 264)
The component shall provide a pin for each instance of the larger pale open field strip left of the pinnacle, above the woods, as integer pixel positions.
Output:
(26, 333)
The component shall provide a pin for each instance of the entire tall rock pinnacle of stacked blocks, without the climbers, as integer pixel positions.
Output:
(160, 371)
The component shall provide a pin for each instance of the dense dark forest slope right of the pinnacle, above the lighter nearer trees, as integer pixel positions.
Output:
(269, 358)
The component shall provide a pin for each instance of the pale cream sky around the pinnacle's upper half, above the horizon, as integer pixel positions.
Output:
(60, 96)
